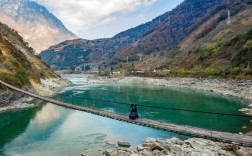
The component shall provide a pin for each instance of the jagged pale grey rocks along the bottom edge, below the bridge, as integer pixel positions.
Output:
(177, 147)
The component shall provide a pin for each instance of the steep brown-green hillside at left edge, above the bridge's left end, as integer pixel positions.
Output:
(18, 64)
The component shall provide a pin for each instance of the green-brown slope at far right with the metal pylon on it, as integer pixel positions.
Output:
(224, 46)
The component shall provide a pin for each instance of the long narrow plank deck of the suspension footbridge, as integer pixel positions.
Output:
(181, 129)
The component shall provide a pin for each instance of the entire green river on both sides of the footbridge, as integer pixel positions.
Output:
(52, 130)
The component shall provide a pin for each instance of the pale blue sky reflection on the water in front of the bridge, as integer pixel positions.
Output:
(71, 132)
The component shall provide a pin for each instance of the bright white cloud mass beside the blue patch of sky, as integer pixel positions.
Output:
(81, 15)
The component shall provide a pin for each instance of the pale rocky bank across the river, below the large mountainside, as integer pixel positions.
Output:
(237, 88)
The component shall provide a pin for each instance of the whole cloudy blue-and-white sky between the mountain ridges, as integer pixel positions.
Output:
(92, 19)
